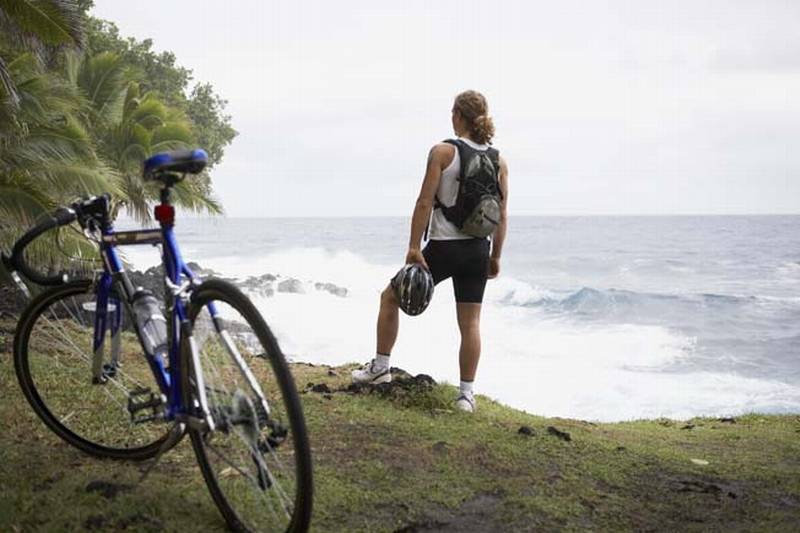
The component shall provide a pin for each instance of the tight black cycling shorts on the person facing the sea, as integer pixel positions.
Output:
(465, 260)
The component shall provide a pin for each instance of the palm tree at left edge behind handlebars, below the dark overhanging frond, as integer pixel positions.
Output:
(47, 157)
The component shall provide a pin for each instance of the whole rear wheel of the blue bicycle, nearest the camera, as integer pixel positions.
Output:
(256, 459)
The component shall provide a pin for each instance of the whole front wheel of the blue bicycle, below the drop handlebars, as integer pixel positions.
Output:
(56, 368)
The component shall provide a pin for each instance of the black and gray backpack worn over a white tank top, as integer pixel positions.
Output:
(477, 208)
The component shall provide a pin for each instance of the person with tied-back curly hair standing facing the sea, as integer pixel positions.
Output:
(452, 251)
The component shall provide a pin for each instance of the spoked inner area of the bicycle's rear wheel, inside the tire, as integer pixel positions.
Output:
(243, 397)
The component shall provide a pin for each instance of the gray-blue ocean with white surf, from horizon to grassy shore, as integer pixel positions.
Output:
(597, 318)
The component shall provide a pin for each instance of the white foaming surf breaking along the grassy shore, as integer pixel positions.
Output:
(601, 354)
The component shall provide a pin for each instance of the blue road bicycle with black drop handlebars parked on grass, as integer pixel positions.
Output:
(211, 366)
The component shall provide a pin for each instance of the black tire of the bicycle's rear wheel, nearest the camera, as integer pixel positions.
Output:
(220, 291)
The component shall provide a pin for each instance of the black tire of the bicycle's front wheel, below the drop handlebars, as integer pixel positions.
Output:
(22, 364)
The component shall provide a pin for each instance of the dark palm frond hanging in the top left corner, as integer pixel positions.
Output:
(32, 25)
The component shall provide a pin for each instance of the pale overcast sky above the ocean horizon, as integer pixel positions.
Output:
(616, 107)
